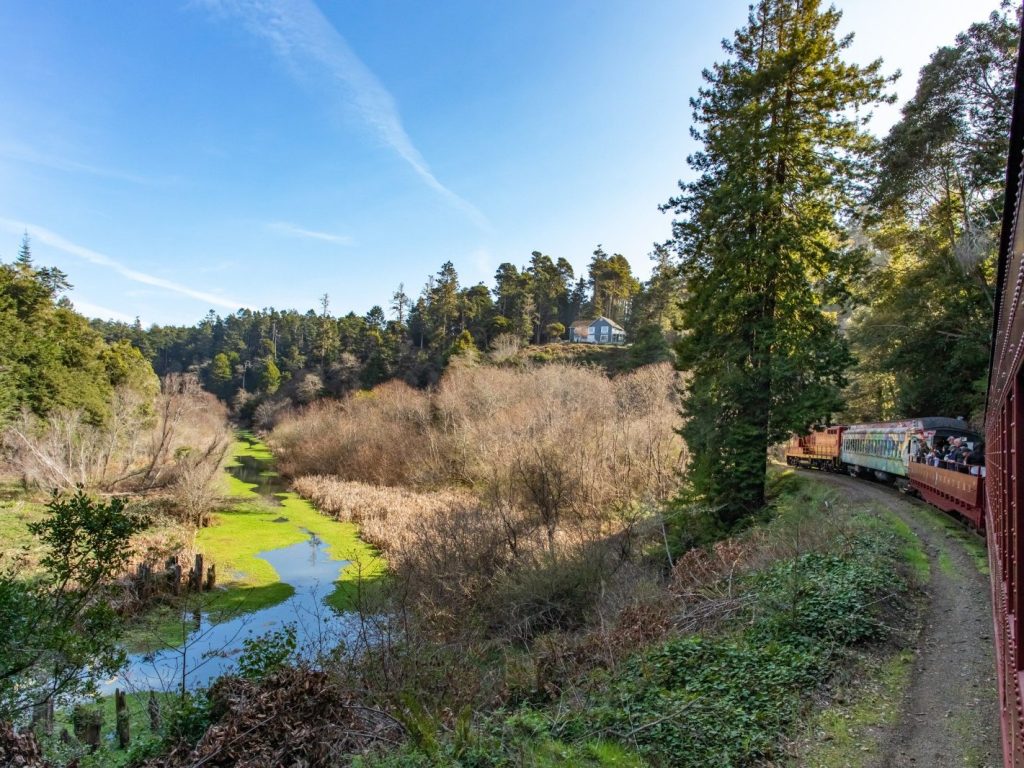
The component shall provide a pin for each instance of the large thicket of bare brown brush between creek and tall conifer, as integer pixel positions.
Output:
(550, 467)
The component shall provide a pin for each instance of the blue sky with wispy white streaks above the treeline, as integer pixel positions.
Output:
(177, 157)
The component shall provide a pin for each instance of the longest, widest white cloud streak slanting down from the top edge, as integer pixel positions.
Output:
(306, 39)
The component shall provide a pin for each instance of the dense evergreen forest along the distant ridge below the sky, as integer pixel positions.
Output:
(253, 354)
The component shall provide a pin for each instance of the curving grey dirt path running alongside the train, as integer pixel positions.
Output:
(951, 714)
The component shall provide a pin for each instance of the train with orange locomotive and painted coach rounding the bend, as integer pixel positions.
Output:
(894, 452)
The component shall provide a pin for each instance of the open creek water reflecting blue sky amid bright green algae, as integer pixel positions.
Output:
(212, 650)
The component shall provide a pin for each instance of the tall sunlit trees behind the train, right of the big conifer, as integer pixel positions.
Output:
(937, 206)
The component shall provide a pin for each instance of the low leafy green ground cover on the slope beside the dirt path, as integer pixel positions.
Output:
(726, 701)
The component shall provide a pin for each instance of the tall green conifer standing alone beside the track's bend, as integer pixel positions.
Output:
(761, 243)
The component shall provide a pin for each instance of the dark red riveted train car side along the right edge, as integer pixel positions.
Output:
(1005, 448)
